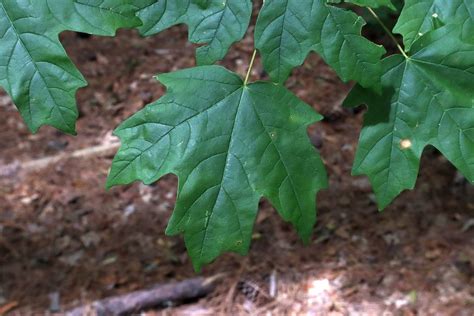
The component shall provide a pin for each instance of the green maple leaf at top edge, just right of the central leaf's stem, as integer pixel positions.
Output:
(287, 30)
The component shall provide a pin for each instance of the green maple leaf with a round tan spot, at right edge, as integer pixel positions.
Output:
(428, 99)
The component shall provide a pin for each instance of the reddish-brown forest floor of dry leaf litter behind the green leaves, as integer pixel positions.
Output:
(63, 235)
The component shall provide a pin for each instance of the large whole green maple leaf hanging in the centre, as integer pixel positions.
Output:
(229, 144)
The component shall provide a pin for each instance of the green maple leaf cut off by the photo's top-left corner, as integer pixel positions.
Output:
(35, 69)
